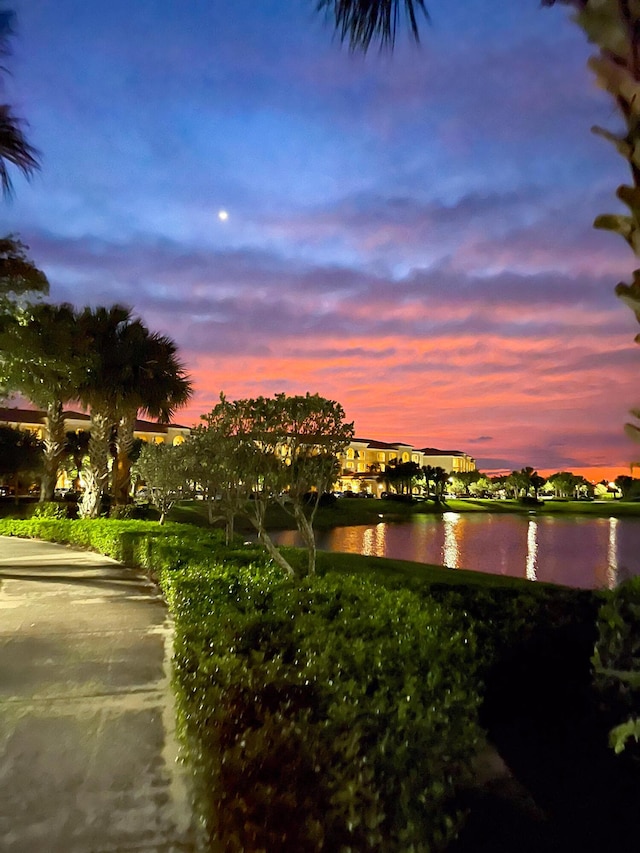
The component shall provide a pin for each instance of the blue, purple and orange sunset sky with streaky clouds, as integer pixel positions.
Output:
(409, 234)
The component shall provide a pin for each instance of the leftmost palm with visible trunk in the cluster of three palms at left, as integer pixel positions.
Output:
(43, 359)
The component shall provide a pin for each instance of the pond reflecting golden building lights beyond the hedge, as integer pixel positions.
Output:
(575, 551)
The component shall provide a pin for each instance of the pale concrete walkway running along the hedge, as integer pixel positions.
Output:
(87, 748)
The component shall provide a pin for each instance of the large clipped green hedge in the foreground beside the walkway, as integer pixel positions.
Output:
(339, 700)
